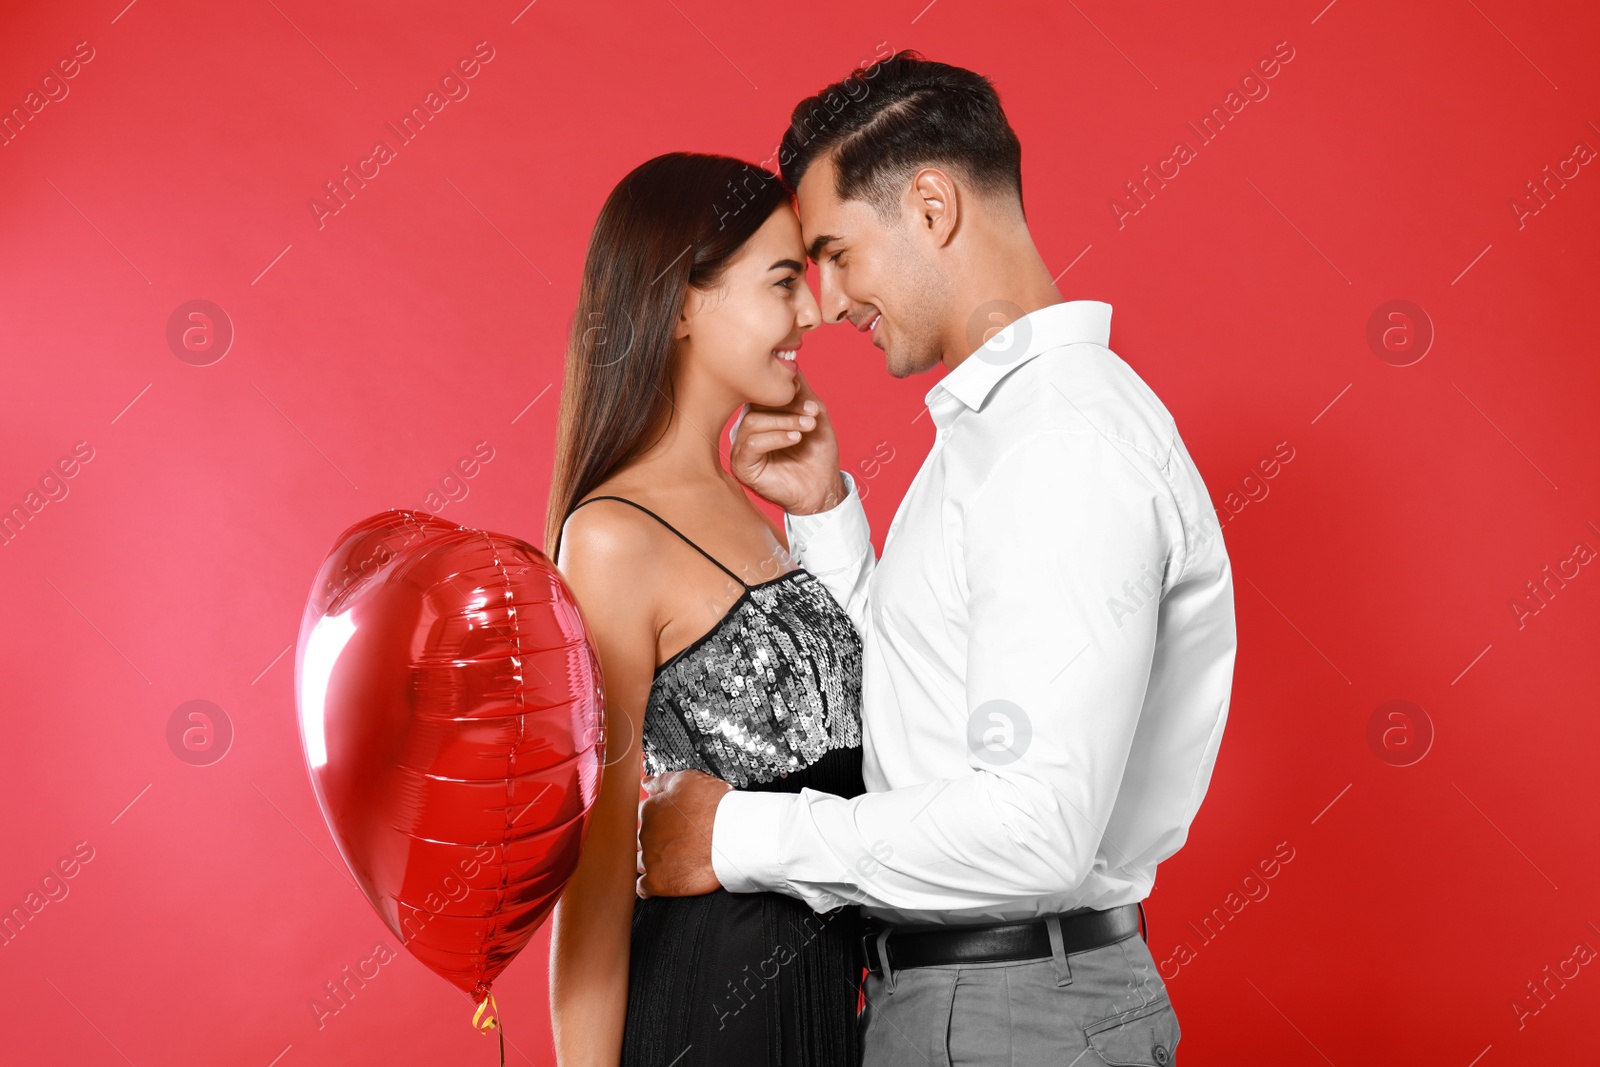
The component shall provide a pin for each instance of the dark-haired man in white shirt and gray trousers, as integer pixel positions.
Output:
(1049, 636)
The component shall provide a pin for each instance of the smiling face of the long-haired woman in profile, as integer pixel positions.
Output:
(746, 332)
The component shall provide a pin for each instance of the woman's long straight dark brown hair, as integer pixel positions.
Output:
(671, 223)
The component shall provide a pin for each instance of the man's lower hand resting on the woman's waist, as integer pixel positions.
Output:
(674, 834)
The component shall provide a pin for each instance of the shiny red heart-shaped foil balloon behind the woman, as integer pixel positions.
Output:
(452, 717)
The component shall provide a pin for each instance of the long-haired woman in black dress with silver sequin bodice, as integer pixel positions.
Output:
(718, 653)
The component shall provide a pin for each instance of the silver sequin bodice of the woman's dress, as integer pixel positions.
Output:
(769, 690)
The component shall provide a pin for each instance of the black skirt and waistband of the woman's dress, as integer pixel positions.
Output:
(742, 980)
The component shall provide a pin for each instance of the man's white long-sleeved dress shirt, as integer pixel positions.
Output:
(1049, 652)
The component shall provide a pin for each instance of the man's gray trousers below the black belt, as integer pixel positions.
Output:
(1084, 1010)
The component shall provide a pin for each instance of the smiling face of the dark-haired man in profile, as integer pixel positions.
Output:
(873, 273)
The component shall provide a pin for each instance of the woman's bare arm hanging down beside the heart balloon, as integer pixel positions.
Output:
(602, 557)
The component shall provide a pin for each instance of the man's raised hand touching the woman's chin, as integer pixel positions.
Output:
(799, 476)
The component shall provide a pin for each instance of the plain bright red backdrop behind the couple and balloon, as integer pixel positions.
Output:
(430, 314)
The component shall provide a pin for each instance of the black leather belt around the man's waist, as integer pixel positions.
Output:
(932, 946)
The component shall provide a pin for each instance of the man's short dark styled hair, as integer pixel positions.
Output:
(887, 121)
